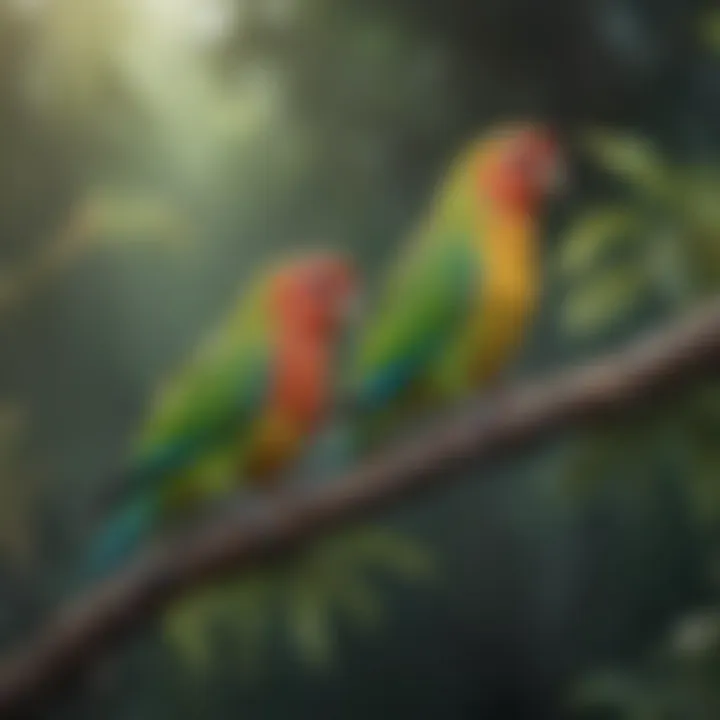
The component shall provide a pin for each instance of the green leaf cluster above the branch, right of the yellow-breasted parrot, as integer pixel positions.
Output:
(658, 249)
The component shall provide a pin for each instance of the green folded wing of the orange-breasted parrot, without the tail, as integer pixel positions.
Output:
(202, 415)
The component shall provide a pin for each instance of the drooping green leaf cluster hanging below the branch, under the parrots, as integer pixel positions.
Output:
(307, 595)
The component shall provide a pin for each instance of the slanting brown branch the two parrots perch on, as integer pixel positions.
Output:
(91, 626)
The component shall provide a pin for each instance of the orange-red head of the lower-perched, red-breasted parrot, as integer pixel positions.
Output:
(316, 293)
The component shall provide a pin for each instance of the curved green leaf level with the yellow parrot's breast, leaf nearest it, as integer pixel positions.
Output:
(596, 233)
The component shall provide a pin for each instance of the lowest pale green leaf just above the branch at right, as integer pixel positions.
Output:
(601, 301)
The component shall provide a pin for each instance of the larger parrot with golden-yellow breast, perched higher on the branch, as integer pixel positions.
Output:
(457, 303)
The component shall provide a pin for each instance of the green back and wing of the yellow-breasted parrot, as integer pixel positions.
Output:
(418, 327)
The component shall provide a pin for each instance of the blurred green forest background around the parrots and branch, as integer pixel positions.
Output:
(153, 153)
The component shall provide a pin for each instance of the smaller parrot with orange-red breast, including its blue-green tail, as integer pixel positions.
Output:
(243, 409)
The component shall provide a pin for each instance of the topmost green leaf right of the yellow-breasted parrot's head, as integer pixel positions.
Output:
(631, 158)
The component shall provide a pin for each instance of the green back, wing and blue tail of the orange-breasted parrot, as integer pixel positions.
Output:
(192, 446)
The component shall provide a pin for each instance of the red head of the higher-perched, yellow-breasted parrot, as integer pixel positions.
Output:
(519, 166)
